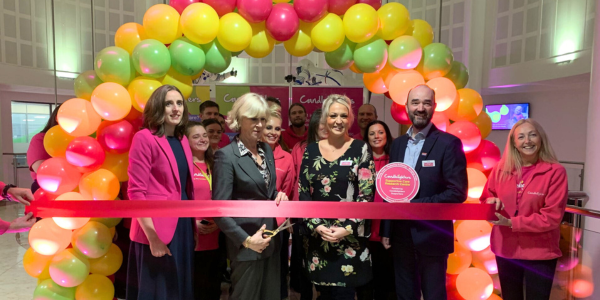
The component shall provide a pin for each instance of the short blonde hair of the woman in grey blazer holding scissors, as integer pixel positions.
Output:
(249, 105)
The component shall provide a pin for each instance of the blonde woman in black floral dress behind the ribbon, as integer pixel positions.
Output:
(338, 168)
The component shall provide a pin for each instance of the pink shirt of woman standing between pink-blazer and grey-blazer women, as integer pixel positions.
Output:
(203, 192)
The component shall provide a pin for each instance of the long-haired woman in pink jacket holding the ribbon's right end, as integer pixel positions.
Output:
(528, 186)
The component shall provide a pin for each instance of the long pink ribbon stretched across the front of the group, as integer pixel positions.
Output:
(252, 209)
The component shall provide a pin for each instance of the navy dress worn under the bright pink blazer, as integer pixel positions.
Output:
(167, 277)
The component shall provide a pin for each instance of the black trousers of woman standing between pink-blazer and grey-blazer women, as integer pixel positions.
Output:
(207, 285)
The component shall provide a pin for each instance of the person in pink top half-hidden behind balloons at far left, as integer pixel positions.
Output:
(36, 153)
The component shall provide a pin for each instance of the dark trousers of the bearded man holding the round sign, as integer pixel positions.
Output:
(416, 272)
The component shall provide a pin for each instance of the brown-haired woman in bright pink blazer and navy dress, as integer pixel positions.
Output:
(160, 161)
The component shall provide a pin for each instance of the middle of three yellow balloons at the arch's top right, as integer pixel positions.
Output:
(361, 22)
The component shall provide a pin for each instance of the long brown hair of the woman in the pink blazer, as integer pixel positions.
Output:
(154, 112)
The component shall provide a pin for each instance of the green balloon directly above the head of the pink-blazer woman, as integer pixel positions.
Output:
(151, 58)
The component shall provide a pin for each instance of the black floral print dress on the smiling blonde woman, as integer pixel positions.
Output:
(350, 178)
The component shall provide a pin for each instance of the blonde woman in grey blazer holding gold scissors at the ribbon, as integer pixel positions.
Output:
(245, 170)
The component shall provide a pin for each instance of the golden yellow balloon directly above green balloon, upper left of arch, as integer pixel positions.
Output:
(161, 22)
